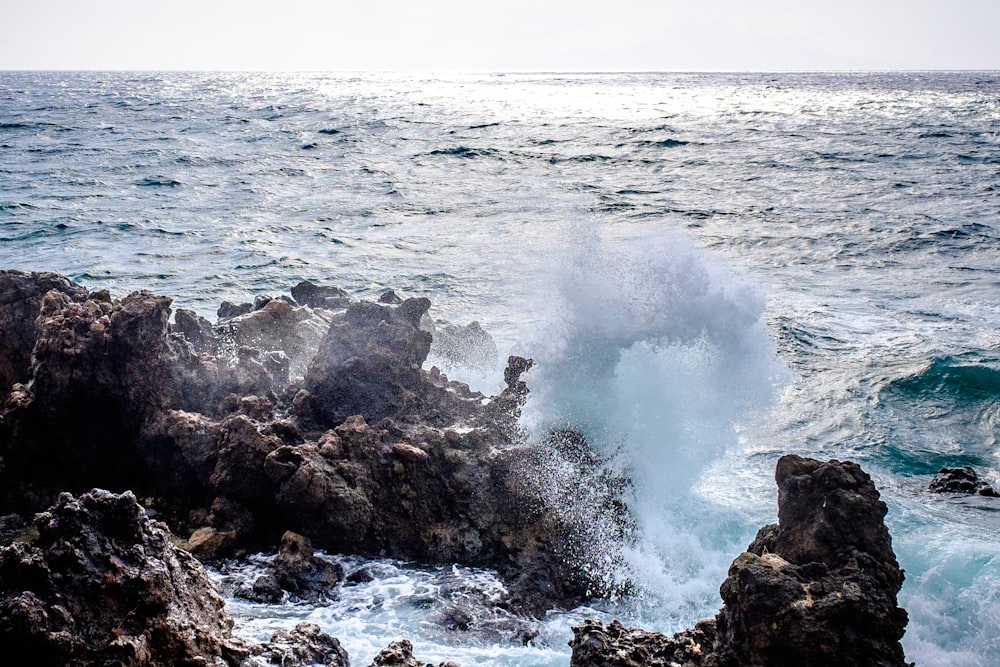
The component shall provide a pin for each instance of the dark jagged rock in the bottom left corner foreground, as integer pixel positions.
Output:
(103, 585)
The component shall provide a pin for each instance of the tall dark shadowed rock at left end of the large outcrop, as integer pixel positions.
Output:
(99, 372)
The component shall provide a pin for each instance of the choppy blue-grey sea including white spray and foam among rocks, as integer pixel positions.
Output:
(712, 270)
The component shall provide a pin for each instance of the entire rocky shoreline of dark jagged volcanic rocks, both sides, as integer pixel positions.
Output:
(308, 421)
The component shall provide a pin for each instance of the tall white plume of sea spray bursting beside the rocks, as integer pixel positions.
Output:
(656, 353)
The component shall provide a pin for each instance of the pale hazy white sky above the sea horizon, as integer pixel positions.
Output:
(509, 35)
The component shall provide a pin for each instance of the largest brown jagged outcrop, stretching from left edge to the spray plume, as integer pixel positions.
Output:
(211, 424)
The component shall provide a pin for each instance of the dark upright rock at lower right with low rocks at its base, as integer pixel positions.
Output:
(817, 588)
